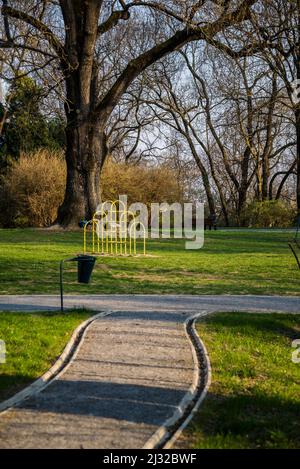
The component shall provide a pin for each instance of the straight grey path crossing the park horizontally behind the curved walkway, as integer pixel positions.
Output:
(190, 303)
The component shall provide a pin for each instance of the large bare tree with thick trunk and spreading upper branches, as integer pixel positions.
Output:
(72, 31)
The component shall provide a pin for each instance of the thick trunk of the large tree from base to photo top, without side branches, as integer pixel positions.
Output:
(85, 137)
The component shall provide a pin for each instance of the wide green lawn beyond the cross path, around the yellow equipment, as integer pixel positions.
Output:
(240, 262)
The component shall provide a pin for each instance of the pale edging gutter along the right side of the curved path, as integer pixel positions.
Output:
(163, 433)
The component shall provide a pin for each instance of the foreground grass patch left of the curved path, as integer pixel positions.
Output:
(33, 343)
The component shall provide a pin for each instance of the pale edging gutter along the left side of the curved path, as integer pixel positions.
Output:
(59, 367)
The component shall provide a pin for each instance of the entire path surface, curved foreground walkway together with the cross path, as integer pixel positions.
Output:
(130, 373)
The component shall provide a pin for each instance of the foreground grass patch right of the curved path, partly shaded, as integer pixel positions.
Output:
(254, 399)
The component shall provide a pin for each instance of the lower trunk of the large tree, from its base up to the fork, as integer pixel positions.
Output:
(85, 156)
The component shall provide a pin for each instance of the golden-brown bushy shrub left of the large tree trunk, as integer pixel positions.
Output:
(32, 190)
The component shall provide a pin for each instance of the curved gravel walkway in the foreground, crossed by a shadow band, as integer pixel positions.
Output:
(130, 373)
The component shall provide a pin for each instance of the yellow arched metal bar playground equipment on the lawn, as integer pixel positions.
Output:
(113, 231)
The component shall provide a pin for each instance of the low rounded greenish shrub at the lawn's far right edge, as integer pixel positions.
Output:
(269, 214)
